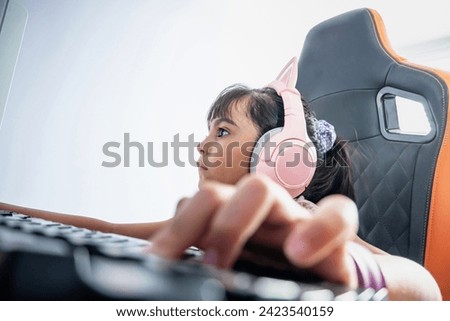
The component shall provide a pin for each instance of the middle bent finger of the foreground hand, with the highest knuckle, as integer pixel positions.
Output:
(257, 200)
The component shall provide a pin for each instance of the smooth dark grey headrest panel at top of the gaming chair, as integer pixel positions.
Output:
(348, 55)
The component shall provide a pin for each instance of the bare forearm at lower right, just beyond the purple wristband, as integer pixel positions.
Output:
(406, 279)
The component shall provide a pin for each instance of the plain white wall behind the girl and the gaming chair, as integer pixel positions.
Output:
(90, 71)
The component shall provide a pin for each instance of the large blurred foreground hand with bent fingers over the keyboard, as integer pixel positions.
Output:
(222, 219)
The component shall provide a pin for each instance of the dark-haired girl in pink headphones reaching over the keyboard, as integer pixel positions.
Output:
(235, 212)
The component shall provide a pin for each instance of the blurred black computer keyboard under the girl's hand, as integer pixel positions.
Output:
(45, 260)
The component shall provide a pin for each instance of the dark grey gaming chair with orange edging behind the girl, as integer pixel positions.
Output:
(352, 78)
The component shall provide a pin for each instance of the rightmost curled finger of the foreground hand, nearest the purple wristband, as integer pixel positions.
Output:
(313, 240)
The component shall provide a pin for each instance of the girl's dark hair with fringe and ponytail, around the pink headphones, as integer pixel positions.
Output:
(265, 108)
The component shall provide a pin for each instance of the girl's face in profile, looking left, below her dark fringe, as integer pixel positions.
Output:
(225, 152)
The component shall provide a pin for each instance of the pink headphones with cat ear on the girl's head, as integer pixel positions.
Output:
(286, 154)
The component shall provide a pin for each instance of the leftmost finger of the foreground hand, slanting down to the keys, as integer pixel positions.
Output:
(191, 222)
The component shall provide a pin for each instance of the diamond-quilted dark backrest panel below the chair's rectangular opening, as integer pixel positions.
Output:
(383, 172)
